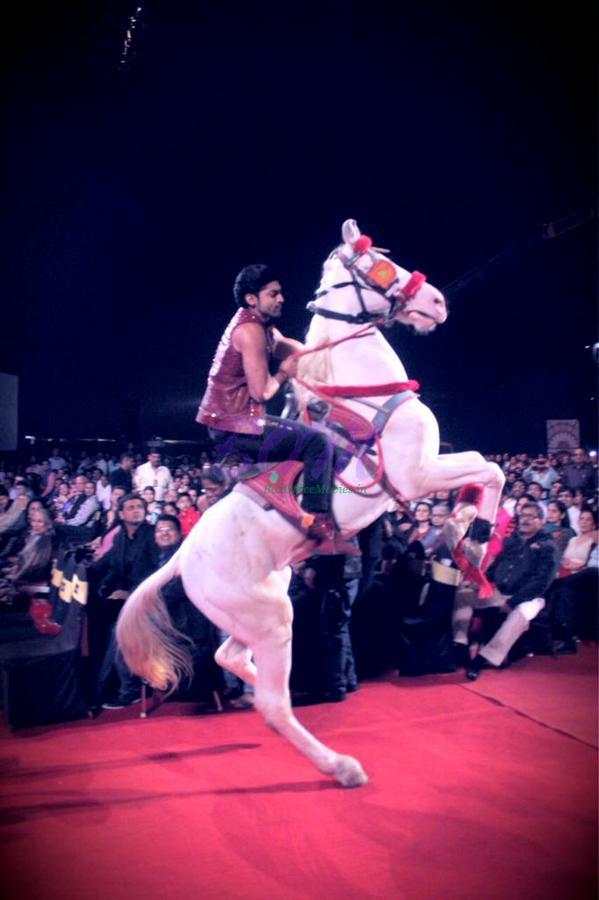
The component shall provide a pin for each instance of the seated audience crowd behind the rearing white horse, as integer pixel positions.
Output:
(402, 605)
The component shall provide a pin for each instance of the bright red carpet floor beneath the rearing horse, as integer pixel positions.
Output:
(478, 791)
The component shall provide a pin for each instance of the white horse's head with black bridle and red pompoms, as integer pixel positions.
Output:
(374, 286)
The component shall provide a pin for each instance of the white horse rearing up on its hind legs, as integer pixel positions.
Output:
(235, 562)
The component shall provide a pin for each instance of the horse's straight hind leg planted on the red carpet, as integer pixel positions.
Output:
(271, 698)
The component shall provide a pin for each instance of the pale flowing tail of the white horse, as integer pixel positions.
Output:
(151, 645)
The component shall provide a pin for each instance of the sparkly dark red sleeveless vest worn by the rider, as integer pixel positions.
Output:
(226, 404)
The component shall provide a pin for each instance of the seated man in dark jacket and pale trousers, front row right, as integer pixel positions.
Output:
(521, 575)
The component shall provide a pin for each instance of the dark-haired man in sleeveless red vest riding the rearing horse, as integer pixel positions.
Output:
(240, 384)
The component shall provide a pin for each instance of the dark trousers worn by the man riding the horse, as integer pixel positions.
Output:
(282, 440)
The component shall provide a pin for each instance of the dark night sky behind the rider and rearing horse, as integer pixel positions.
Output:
(232, 133)
